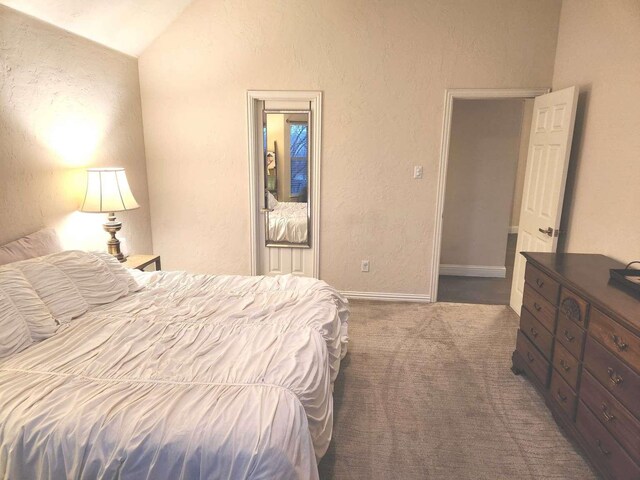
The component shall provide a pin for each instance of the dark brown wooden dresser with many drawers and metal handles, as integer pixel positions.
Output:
(579, 343)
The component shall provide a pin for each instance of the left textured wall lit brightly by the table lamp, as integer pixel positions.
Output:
(66, 103)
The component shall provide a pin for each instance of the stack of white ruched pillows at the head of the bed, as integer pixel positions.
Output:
(40, 294)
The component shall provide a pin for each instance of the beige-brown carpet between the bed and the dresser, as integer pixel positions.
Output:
(426, 392)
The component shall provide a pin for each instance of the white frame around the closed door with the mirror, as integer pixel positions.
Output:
(254, 114)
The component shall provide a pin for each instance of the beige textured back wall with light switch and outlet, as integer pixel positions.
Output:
(383, 67)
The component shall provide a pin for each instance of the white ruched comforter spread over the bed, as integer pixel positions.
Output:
(193, 377)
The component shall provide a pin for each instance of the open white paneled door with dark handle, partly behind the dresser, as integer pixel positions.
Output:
(546, 174)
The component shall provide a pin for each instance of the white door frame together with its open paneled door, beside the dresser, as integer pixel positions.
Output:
(545, 177)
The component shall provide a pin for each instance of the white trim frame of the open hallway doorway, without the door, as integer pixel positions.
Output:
(450, 95)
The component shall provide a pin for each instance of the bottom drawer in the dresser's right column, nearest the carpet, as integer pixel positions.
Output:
(605, 450)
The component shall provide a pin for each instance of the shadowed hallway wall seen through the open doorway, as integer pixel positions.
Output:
(483, 156)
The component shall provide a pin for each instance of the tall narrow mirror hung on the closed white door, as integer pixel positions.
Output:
(286, 177)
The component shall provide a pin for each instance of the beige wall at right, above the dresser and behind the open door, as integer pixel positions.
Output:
(599, 51)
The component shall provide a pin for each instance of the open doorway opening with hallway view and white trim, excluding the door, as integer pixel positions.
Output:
(484, 142)
